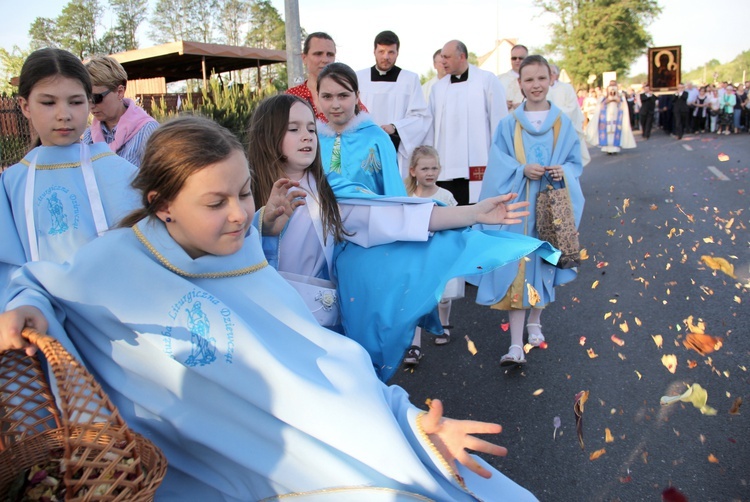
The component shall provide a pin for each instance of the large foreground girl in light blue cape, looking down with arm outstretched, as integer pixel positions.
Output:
(210, 354)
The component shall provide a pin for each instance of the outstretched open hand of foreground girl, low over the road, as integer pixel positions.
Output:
(453, 437)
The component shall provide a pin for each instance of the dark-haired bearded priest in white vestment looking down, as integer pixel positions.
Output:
(394, 99)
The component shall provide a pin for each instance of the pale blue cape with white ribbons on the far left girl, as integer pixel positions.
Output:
(62, 212)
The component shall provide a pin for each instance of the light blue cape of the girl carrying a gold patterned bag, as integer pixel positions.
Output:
(504, 174)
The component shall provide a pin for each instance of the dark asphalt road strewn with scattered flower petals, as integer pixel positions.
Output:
(651, 214)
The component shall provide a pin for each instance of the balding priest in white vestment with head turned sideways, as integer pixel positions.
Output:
(466, 107)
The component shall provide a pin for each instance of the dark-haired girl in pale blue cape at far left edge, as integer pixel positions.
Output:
(63, 193)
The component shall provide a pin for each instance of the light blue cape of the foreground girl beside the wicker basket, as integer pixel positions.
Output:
(218, 362)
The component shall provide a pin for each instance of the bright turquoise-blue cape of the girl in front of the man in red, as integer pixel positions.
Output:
(367, 155)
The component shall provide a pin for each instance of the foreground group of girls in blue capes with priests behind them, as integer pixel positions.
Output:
(202, 282)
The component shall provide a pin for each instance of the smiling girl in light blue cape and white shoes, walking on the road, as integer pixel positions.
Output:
(534, 142)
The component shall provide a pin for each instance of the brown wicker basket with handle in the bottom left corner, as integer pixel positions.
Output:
(105, 460)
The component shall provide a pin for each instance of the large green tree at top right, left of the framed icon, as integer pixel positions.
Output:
(594, 36)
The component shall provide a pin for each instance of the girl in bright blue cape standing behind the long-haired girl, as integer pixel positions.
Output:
(351, 144)
